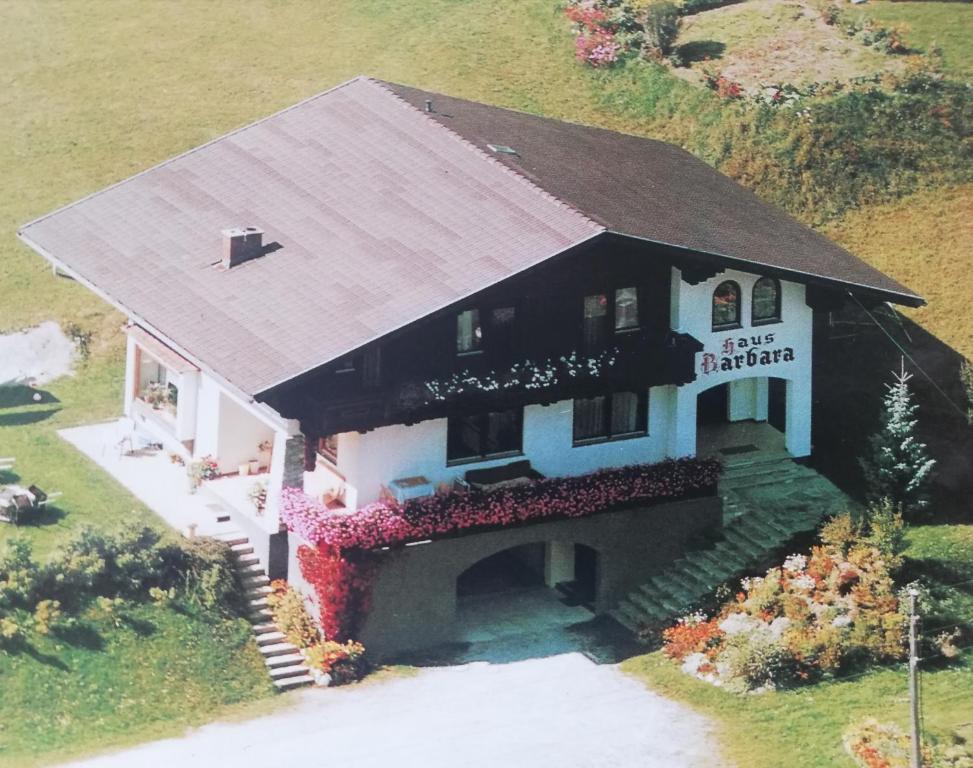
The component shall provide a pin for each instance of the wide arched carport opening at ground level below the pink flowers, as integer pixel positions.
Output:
(528, 588)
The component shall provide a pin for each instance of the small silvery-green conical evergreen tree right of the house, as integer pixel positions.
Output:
(898, 468)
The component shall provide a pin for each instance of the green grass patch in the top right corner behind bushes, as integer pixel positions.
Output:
(946, 25)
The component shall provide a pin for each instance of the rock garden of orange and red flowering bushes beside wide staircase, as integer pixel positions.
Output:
(825, 613)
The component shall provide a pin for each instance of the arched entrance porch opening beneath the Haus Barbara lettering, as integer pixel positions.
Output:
(742, 416)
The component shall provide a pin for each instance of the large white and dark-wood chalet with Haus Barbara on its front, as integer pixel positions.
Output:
(398, 292)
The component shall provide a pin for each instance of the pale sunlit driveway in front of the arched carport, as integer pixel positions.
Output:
(537, 702)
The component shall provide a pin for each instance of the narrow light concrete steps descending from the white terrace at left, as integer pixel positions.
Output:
(284, 662)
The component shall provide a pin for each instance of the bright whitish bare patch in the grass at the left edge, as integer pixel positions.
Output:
(35, 356)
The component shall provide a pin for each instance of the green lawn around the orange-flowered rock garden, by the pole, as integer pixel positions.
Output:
(804, 726)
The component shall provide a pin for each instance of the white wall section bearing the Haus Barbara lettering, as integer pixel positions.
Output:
(691, 312)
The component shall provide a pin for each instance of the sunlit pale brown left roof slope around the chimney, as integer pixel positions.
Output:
(382, 215)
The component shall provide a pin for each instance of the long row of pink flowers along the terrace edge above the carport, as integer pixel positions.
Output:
(387, 524)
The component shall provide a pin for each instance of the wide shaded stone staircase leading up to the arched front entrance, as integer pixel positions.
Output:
(768, 501)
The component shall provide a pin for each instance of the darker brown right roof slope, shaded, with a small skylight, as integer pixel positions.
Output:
(655, 191)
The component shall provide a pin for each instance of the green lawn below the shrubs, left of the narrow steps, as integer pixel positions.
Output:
(103, 686)
